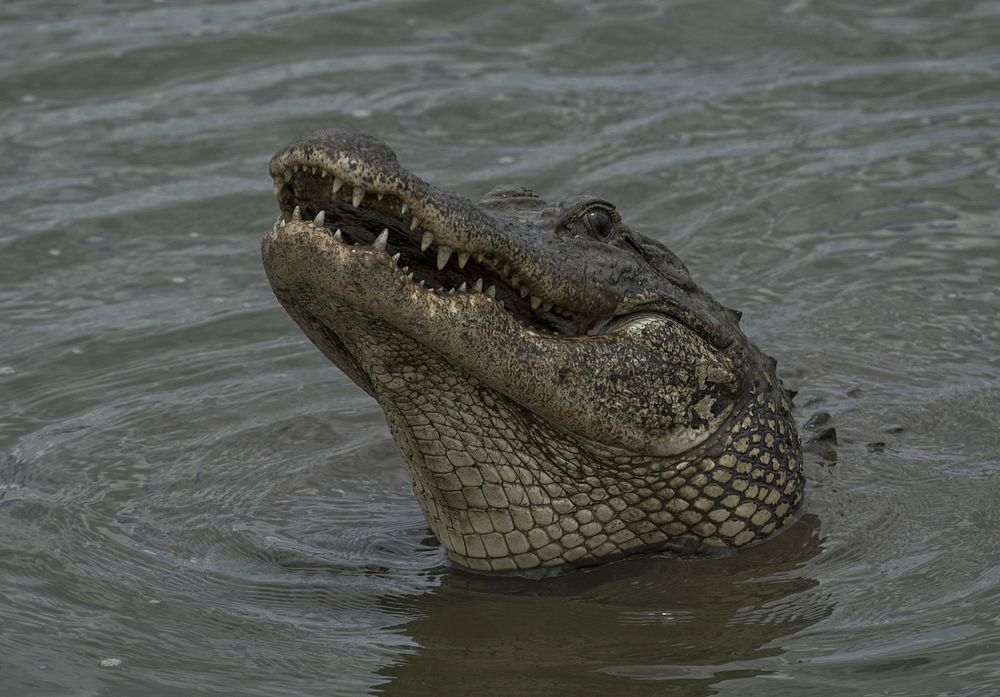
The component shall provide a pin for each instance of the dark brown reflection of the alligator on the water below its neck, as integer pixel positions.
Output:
(647, 626)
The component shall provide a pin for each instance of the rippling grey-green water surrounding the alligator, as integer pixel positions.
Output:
(193, 502)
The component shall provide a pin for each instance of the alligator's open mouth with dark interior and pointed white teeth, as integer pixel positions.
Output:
(386, 221)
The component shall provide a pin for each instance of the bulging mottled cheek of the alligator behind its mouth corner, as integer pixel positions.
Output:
(655, 390)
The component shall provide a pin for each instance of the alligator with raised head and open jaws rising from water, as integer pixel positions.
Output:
(561, 390)
